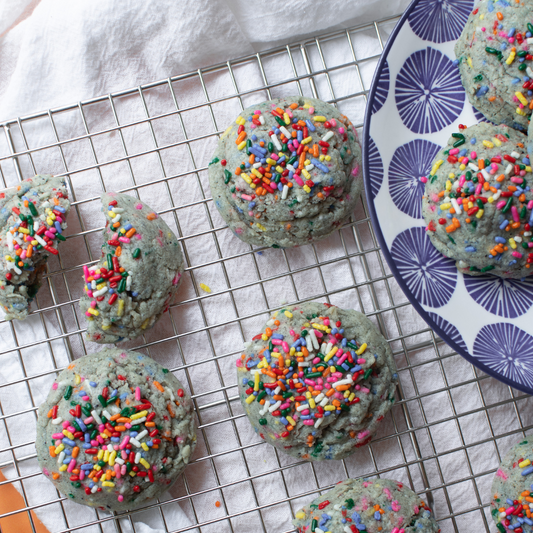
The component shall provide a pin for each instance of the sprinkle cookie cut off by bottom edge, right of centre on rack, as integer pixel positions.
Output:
(367, 506)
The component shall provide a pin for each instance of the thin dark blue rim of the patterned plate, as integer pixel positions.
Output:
(377, 227)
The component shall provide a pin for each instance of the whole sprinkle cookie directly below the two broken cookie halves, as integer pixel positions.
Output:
(115, 431)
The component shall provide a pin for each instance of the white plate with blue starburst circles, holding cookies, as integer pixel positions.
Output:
(416, 102)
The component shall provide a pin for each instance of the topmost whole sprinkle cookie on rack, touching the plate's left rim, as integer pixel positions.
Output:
(287, 172)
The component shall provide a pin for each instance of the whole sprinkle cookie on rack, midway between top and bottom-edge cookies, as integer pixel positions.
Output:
(317, 381)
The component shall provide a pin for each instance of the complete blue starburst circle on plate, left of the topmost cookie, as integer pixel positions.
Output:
(429, 94)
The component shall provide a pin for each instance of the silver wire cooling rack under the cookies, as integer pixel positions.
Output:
(451, 423)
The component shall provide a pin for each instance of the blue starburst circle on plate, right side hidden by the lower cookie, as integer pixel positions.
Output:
(409, 162)
